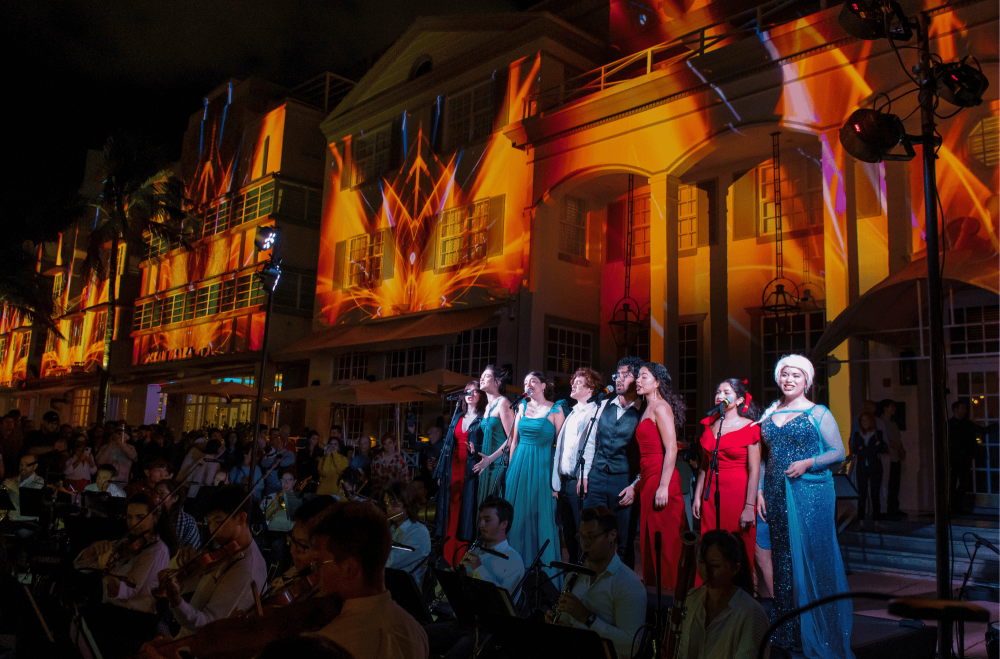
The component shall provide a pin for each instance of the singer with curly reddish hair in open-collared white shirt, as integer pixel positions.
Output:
(576, 441)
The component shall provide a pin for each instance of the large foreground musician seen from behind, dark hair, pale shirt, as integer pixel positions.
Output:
(351, 545)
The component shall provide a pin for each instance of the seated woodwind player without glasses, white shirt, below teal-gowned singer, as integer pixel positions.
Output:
(496, 517)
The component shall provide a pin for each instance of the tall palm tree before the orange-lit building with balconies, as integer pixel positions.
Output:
(139, 198)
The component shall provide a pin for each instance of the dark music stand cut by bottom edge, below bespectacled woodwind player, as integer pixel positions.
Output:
(531, 638)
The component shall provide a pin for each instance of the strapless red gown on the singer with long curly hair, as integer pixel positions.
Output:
(669, 520)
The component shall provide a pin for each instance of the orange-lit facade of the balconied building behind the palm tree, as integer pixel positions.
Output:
(205, 301)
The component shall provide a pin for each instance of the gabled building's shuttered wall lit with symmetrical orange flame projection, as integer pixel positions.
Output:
(408, 212)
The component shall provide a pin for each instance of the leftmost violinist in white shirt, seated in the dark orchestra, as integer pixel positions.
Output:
(127, 614)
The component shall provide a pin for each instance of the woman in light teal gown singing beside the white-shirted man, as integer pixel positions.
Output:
(528, 485)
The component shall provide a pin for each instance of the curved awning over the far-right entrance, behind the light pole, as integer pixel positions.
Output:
(891, 311)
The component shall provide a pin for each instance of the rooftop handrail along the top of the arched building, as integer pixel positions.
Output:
(661, 56)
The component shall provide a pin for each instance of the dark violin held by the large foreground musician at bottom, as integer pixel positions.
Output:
(242, 637)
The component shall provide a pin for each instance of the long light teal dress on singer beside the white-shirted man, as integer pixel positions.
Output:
(528, 490)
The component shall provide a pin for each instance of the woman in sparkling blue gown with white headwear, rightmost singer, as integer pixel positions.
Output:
(798, 501)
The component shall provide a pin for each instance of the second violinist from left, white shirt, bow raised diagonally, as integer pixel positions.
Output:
(226, 586)
